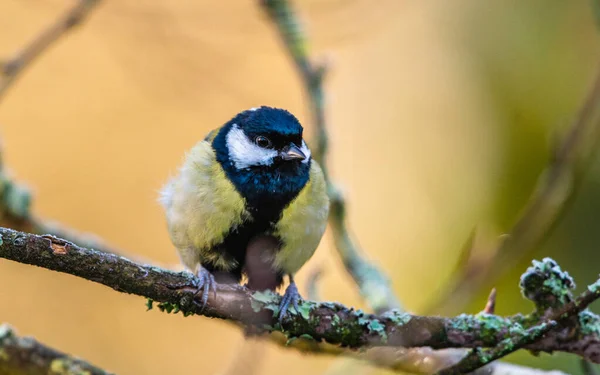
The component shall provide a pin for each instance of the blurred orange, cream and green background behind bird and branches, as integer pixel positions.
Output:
(442, 116)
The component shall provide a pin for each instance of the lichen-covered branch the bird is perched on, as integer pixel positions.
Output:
(330, 323)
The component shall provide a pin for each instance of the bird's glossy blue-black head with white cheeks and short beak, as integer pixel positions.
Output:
(262, 152)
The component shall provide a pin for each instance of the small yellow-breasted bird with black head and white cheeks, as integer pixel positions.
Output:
(248, 201)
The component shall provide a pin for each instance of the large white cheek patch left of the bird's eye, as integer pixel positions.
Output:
(244, 153)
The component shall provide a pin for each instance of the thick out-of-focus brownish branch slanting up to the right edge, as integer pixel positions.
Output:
(555, 190)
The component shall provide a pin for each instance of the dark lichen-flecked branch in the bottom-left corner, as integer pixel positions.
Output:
(24, 355)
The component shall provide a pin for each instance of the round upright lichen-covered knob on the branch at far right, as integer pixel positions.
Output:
(547, 285)
